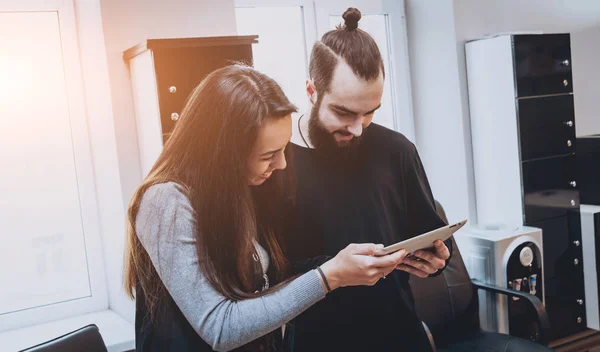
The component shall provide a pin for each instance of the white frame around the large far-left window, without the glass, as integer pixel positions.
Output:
(98, 299)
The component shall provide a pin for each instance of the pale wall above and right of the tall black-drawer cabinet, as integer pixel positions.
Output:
(581, 18)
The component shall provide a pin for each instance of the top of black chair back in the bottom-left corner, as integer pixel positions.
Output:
(86, 339)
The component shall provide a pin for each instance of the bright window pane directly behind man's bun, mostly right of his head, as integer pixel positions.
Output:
(377, 27)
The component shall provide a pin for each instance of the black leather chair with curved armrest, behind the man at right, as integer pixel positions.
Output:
(448, 305)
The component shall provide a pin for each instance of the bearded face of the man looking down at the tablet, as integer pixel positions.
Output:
(339, 116)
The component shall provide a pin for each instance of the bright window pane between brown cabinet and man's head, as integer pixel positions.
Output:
(280, 52)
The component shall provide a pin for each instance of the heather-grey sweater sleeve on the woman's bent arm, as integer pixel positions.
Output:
(165, 227)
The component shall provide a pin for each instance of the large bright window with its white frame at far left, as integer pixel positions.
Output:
(50, 267)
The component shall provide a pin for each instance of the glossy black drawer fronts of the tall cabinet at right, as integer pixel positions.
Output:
(546, 122)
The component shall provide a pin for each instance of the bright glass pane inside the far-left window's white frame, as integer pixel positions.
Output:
(41, 218)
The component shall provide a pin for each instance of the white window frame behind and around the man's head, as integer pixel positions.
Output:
(316, 23)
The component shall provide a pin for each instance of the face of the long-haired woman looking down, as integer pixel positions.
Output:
(268, 152)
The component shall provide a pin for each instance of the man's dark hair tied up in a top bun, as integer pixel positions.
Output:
(349, 43)
